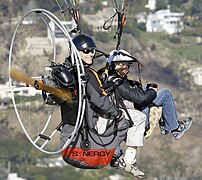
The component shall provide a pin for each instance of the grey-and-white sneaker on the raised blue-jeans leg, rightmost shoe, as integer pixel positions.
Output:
(182, 128)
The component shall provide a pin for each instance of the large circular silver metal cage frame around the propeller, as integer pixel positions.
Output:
(75, 58)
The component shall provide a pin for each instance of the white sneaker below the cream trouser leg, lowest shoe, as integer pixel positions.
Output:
(131, 168)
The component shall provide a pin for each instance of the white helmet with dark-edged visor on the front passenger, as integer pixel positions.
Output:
(119, 56)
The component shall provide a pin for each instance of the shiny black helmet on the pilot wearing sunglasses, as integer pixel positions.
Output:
(83, 41)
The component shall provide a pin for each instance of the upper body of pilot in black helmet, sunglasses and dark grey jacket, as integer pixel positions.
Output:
(95, 93)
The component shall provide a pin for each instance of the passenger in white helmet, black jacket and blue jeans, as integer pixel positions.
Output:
(119, 67)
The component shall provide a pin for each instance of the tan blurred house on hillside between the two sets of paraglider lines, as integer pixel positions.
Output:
(97, 20)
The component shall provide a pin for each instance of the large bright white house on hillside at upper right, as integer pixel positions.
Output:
(165, 21)
